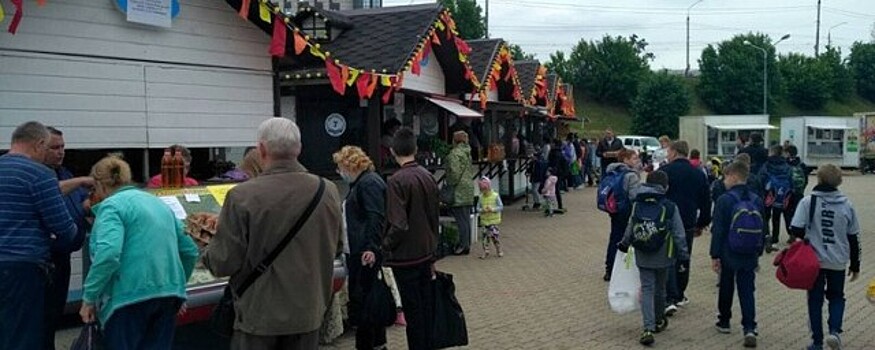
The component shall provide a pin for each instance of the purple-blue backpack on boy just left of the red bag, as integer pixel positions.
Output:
(746, 227)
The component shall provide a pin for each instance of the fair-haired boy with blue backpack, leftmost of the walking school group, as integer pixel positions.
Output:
(616, 191)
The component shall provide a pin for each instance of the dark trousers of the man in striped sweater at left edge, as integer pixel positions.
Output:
(22, 305)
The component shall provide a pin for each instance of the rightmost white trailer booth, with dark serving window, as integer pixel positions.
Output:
(822, 140)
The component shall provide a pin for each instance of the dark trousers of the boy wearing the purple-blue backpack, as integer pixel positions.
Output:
(744, 279)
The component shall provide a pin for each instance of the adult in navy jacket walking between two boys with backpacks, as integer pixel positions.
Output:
(688, 188)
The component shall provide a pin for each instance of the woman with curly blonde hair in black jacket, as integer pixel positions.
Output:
(365, 212)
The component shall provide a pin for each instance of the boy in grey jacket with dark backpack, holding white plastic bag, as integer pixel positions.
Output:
(656, 231)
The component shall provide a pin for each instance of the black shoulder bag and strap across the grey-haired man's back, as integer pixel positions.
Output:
(224, 315)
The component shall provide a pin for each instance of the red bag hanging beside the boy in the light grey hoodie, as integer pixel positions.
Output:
(798, 265)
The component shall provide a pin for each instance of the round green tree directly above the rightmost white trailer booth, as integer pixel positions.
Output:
(808, 80)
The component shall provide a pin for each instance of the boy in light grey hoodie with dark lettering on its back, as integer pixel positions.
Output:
(827, 219)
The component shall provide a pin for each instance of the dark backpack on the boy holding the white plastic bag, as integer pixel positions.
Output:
(649, 222)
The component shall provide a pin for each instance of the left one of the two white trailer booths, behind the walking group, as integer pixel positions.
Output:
(716, 135)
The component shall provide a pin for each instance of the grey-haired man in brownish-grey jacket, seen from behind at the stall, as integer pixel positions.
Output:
(284, 308)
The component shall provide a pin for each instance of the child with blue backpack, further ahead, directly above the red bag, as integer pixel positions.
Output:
(778, 188)
